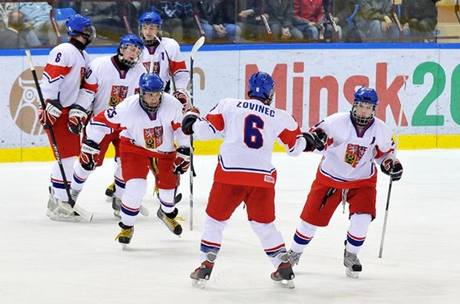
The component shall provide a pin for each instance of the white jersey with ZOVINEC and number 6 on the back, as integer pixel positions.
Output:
(250, 129)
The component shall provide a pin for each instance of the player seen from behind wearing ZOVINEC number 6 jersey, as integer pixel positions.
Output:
(244, 171)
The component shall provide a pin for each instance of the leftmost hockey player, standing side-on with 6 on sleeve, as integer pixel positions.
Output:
(63, 73)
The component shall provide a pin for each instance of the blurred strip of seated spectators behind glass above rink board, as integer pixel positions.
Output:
(42, 23)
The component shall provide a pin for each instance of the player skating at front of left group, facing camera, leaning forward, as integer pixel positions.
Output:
(149, 124)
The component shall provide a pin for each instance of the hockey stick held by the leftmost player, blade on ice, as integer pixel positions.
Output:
(83, 213)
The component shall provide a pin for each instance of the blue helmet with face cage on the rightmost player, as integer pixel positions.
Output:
(364, 95)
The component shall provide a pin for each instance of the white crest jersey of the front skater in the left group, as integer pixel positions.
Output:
(152, 132)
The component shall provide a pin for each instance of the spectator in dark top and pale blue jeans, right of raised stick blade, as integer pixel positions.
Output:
(223, 21)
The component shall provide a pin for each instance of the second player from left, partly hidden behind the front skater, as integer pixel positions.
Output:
(109, 80)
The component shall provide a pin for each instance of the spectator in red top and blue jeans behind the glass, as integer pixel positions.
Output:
(310, 19)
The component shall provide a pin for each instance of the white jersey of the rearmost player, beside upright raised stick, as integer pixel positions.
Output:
(167, 59)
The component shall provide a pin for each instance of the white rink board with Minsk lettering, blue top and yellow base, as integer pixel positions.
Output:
(312, 81)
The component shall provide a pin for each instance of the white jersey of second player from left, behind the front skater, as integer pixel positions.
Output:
(105, 85)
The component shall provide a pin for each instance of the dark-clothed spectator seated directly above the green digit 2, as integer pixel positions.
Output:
(419, 19)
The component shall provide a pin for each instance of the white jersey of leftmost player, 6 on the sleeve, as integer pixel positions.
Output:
(63, 73)
